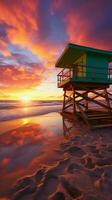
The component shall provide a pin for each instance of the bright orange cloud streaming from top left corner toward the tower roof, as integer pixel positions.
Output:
(24, 28)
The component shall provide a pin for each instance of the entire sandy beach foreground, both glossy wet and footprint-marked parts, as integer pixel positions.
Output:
(45, 164)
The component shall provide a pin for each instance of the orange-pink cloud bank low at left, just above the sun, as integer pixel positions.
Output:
(21, 77)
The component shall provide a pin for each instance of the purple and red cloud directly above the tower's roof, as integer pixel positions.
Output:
(87, 22)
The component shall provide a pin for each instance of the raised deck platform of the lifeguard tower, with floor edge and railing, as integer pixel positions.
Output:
(67, 76)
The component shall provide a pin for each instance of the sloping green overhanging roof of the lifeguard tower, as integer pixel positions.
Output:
(73, 51)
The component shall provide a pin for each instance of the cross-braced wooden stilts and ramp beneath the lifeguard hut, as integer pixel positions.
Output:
(76, 101)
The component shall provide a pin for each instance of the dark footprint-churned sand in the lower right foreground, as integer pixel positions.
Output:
(81, 169)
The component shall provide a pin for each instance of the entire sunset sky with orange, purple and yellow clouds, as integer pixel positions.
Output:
(33, 34)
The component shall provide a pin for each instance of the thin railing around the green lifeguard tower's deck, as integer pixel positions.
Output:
(79, 72)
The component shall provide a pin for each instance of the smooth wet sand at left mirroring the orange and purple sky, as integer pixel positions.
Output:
(22, 149)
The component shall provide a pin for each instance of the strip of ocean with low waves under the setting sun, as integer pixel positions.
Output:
(11, 109)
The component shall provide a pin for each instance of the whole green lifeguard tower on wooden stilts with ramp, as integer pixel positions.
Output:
(85, 79)
